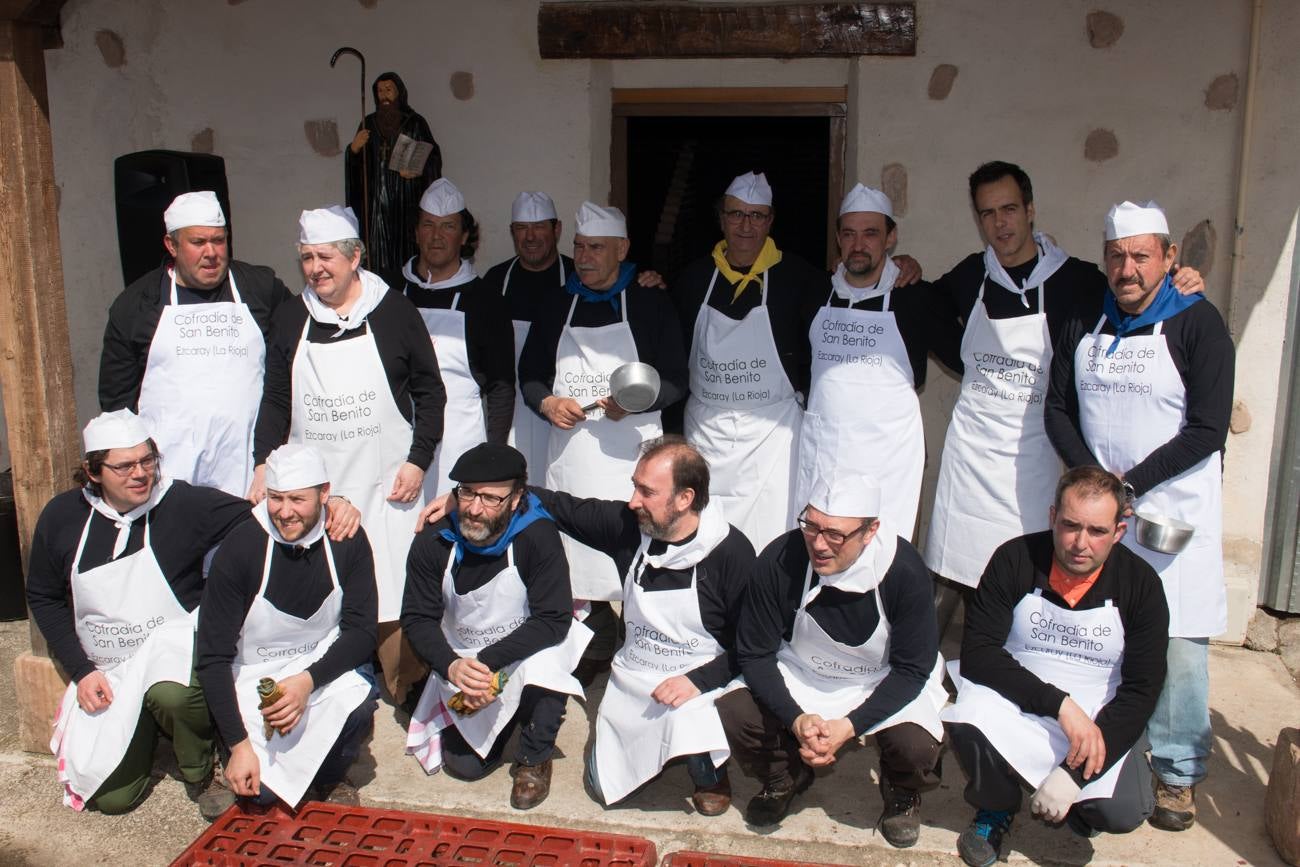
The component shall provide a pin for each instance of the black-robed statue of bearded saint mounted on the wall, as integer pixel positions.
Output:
(387, 201)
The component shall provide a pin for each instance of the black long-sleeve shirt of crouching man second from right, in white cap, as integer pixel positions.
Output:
(768, 619)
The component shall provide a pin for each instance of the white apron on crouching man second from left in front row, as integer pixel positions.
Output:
(278, 645)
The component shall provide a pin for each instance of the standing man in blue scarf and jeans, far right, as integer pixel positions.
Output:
(1145, 389)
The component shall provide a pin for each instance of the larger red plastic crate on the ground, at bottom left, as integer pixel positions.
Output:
(337, 836)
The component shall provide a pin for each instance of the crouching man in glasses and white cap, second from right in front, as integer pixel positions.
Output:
(838, 640)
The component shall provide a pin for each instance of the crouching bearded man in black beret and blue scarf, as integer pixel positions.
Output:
(488, 605)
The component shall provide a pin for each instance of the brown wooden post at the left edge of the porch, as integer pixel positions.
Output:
(36, 357)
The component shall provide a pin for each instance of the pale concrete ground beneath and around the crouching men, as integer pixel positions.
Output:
(1251, 693)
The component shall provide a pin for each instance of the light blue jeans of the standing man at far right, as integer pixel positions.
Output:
(1180, 730)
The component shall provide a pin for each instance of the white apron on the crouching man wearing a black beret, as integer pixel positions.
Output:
(471, 623)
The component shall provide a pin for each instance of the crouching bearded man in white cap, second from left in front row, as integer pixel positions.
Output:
(285, 604)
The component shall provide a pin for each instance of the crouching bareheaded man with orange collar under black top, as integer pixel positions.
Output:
(1063, 661)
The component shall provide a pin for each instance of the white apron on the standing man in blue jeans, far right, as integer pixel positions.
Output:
(1130, 405)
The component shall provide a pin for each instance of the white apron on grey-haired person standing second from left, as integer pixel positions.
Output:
(343, 406)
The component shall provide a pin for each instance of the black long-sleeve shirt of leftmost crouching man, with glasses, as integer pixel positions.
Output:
(184, 527)
